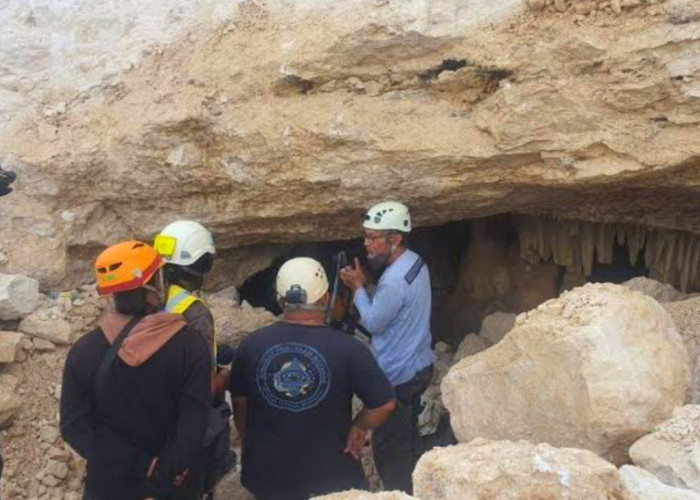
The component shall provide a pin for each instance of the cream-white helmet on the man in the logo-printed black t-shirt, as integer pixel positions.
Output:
(305, 277)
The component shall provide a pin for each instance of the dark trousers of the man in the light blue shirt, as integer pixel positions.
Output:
(397, 445)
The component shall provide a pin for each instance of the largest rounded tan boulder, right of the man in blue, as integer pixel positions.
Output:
(596, 369)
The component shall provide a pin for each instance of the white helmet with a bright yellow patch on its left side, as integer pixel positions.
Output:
(183, 242)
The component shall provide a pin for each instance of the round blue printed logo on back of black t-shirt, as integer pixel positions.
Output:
(293, 377)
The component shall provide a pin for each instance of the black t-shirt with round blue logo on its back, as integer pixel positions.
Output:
(299, 381)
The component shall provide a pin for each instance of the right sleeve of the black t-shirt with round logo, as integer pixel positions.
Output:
(367, 380)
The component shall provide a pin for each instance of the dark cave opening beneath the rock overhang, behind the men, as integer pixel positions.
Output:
(514, 262)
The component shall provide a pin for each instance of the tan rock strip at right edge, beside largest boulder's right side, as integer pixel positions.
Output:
(686, 316)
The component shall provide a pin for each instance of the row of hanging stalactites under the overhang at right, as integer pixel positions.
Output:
(671, 256)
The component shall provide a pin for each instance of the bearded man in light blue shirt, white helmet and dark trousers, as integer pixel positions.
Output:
(397, 315)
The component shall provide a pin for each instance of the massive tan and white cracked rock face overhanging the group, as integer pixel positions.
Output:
(280, 122)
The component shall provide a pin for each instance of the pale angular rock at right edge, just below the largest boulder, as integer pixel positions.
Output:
(672, 451)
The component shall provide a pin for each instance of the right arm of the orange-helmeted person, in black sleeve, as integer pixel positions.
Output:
(185, 443)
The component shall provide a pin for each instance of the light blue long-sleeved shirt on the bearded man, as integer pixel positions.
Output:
(398, 317)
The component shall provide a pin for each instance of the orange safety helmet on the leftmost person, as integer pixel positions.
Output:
(126, 266)
